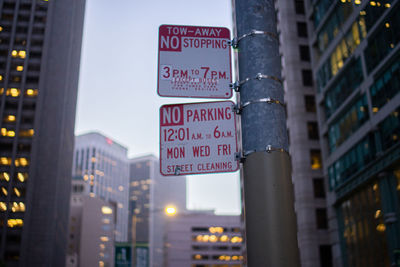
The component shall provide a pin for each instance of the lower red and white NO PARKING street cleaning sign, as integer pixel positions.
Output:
(198, 138)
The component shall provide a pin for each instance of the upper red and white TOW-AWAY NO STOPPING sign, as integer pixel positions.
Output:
(194, 62)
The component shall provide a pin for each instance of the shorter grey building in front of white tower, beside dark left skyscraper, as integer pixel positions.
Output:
(91, 228)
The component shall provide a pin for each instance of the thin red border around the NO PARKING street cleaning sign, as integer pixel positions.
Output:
(192, 173)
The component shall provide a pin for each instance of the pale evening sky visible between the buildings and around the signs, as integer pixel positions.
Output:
(118, 82)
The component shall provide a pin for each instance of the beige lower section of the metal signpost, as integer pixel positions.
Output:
(269, 210)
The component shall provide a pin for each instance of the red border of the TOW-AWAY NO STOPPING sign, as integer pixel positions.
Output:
(226, 36)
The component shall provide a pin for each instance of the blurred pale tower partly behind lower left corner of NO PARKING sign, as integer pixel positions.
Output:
(150, 193)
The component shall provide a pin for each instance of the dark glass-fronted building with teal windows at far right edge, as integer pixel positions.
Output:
(356, 64)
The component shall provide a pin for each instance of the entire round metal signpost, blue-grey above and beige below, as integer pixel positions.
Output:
(271, 230)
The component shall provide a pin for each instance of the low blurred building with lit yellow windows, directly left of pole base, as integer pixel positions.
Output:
(200, 239)
